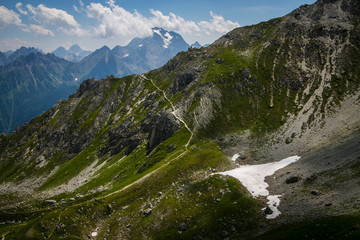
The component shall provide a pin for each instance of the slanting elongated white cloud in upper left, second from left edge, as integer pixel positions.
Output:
(52, 16)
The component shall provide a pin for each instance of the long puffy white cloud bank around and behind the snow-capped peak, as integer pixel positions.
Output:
(115, 21)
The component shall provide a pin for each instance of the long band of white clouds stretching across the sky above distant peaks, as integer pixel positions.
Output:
(106, 21)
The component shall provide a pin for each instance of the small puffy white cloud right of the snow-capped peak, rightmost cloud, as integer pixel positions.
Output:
(217, 25)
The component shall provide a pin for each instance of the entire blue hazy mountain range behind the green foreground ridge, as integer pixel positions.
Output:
(20, 72)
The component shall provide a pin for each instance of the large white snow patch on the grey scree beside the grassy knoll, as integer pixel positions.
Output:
(253, 178)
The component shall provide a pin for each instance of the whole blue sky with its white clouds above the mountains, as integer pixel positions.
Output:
(94, 23)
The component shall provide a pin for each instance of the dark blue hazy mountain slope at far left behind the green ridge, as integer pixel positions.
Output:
(30, 85)
